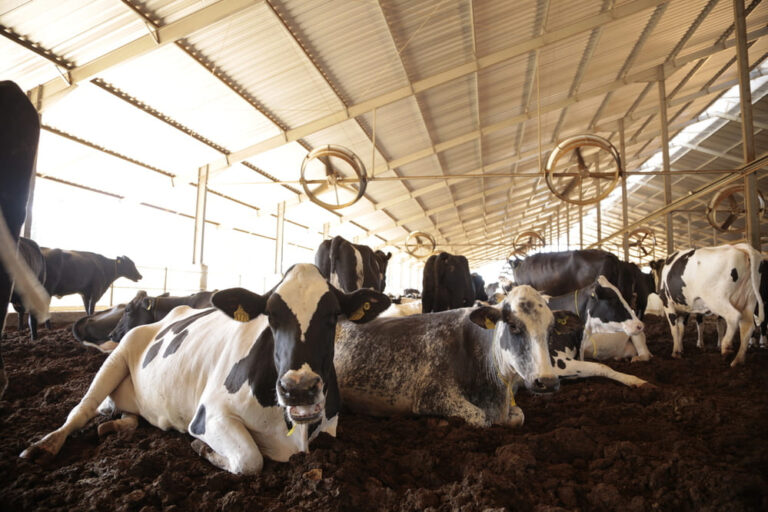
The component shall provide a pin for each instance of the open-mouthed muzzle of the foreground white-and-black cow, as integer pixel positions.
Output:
(301, 393)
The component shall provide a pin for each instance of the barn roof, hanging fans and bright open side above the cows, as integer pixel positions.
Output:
(179, 132)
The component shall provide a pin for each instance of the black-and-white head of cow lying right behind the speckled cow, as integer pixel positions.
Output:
(607, 311)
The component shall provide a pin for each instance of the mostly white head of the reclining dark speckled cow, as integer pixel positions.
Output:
(520, 340)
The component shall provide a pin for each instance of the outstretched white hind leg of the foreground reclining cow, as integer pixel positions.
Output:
(112, 373)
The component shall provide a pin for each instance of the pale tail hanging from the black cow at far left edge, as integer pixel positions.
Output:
(32, 293)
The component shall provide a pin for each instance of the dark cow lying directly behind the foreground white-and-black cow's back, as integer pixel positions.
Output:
(144, 310)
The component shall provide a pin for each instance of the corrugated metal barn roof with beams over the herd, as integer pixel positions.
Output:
(458, 86)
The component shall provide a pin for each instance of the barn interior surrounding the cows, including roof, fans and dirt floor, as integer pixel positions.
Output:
(217, 143)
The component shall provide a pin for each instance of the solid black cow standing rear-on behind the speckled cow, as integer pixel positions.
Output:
(446, 283)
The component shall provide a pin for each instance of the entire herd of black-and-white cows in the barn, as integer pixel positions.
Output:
(260, 375)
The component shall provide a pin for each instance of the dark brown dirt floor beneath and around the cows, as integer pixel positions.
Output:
(699, 441)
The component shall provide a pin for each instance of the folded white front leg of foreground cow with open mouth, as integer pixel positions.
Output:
(228, 445)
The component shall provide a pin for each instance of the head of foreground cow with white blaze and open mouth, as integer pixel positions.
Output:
(302, 311)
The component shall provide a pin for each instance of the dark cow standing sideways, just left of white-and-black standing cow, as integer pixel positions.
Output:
(558, 273)
